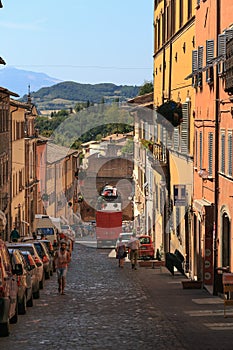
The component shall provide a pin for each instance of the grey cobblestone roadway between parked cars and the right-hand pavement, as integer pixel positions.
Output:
(105, 307)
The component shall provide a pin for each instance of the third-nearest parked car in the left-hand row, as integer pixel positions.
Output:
(34, 272)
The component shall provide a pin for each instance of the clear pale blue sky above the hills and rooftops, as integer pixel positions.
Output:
(86, 41)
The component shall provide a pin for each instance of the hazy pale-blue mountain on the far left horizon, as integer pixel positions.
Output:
(18, 80)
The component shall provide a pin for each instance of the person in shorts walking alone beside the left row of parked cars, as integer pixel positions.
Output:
(62, 259)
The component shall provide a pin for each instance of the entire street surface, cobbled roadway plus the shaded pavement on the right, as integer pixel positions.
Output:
(110, 308)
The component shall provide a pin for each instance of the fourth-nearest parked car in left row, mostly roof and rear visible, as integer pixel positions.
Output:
(30, 247)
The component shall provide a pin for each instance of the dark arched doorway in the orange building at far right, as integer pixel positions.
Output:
(225, 240)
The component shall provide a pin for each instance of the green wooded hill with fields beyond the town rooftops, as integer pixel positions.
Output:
(65, 95)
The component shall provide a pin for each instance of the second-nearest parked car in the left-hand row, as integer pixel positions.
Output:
(24, 281)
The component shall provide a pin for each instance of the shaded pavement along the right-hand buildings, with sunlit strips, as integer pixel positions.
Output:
(196, 315)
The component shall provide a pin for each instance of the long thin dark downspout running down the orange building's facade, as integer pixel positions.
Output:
(216, 187)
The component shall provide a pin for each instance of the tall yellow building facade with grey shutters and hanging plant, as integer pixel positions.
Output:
(174, 40)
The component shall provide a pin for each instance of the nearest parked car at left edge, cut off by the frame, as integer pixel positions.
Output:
(8, 291)
